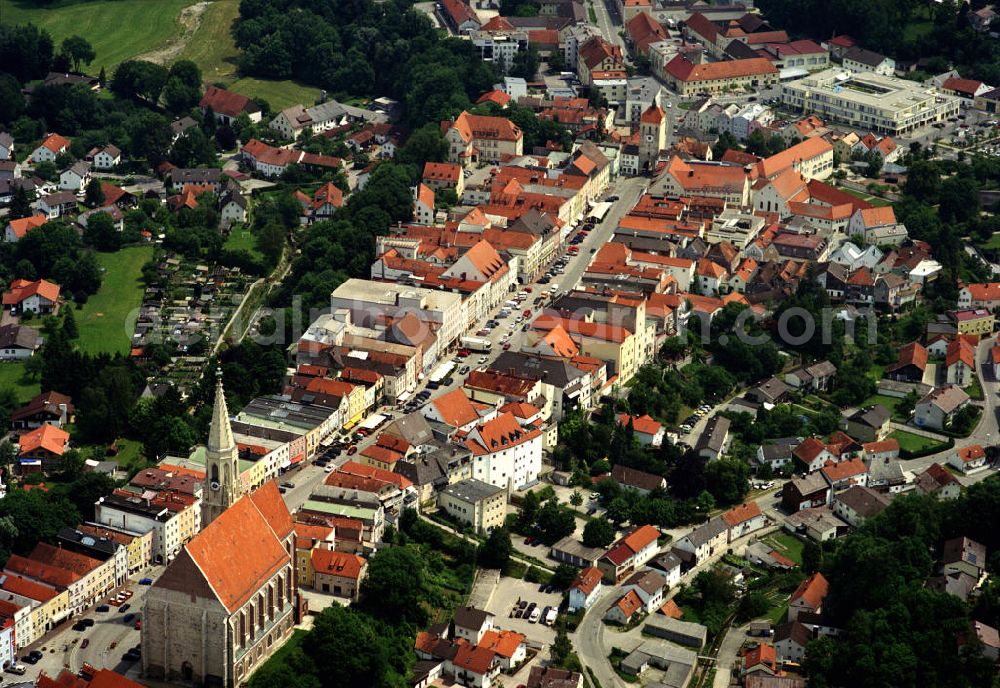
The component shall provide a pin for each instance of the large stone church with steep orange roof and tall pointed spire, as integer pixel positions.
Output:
(229, 599)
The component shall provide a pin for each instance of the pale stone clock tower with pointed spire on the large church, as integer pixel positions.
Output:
(222, 466)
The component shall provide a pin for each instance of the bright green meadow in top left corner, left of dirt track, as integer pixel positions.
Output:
(117, 29)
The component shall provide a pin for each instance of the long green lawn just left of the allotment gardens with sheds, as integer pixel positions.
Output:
(106, 321)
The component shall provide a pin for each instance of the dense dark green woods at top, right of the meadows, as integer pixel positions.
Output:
(363, 48)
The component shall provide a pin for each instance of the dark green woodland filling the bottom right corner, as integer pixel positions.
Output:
(900, 633)
